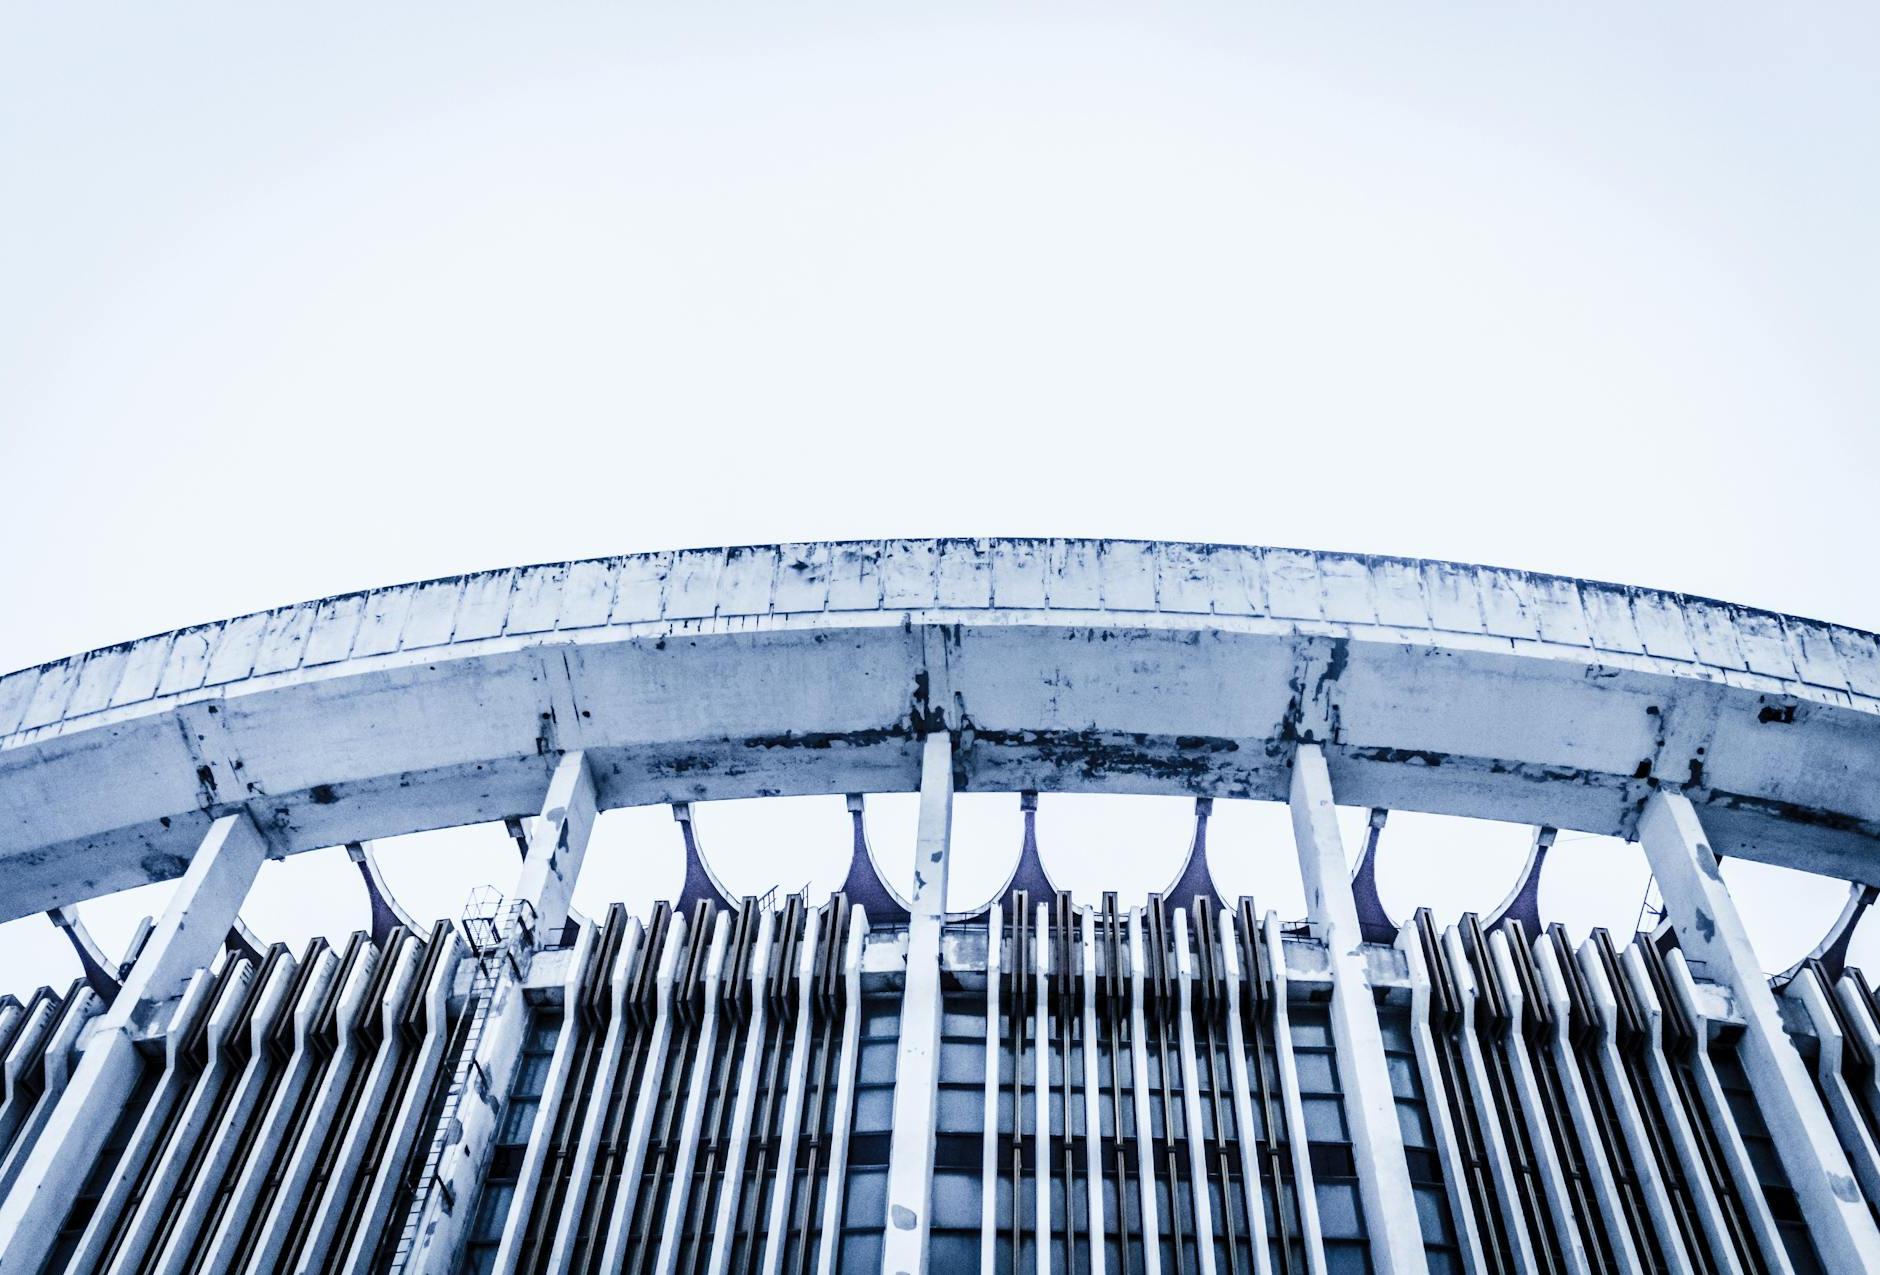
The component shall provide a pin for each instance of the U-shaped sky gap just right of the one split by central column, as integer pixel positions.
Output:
(1095, 843)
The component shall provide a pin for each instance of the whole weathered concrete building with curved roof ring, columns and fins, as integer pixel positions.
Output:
(847, 1084)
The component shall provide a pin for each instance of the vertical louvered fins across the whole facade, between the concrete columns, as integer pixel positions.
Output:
(1582, 1114)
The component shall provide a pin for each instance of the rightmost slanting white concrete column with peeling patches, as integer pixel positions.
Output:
(1712, 932)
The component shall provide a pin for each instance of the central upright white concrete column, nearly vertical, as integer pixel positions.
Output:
(911, 1157)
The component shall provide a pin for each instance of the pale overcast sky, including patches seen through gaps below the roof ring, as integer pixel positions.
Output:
(304, 302)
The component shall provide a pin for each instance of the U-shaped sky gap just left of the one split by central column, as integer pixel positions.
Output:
(785, 845)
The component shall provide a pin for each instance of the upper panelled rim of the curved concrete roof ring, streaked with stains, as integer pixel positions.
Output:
(915, 575)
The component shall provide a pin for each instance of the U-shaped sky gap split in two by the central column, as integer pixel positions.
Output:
(988, 836)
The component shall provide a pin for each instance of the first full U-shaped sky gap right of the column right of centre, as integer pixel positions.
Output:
(1449, 864)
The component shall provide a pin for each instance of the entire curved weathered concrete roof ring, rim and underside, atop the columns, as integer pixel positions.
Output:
(1065, 665)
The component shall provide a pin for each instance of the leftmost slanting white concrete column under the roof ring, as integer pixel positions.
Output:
(185, 939)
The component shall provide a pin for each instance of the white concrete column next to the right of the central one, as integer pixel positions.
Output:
(1370, 1105)
